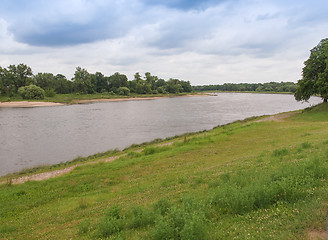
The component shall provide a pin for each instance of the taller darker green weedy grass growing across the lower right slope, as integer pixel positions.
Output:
(237, 193)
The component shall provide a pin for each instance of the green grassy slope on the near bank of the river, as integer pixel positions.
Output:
(247, 180)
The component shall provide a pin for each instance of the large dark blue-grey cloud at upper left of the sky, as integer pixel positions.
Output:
(51, 25)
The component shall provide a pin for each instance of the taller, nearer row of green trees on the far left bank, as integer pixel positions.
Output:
(15, 77)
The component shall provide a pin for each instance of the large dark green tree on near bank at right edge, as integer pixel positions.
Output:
(315, 74)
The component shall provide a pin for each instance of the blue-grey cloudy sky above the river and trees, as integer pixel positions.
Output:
(205, 42)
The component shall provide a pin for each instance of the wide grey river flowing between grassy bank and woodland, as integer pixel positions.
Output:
(31, 137)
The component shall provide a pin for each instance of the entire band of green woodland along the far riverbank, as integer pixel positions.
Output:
(18, 80)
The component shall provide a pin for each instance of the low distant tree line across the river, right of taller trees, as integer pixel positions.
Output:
(250, 87)
